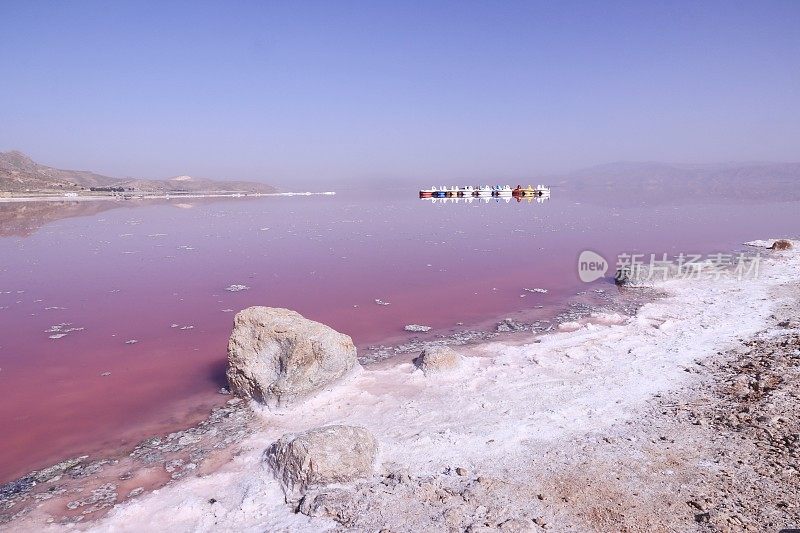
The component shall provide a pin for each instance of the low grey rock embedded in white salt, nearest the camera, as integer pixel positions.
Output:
(320, 457)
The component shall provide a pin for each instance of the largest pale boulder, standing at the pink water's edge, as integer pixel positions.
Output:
(276, 356)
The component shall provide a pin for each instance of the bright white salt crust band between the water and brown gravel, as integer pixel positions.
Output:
(496, 415)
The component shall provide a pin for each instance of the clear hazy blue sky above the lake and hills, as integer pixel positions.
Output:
(310, 91)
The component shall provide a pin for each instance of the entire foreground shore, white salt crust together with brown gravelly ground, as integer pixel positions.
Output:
(577, 431)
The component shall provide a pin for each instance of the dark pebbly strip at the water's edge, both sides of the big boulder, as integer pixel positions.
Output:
(85, 488)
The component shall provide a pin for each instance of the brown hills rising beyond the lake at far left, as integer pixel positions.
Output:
(19, 173)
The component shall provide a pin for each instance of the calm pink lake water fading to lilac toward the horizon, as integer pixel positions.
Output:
(131, 274)
